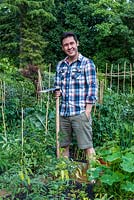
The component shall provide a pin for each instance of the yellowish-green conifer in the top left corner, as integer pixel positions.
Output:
(22, 23)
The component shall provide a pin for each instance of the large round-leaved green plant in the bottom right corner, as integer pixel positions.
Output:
(117, 175)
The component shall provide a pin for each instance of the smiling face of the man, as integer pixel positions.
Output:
(70, 46)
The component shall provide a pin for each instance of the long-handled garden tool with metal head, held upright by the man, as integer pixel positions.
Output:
(57, 118)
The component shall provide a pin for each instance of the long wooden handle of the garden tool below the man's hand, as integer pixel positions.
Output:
(57, 128)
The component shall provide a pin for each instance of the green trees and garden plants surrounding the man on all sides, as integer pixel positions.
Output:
(30, 41)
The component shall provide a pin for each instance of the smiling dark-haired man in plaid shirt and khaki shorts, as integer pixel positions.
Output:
(76, 78)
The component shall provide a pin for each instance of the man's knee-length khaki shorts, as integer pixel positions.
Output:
(80, 127)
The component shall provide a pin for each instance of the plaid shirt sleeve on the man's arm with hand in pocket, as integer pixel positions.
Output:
(91, 83)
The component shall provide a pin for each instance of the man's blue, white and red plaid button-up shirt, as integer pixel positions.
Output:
(78, 85)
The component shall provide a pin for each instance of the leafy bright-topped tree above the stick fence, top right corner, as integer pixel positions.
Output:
(115, 32)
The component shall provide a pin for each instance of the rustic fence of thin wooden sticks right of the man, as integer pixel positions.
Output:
(116, 77)
